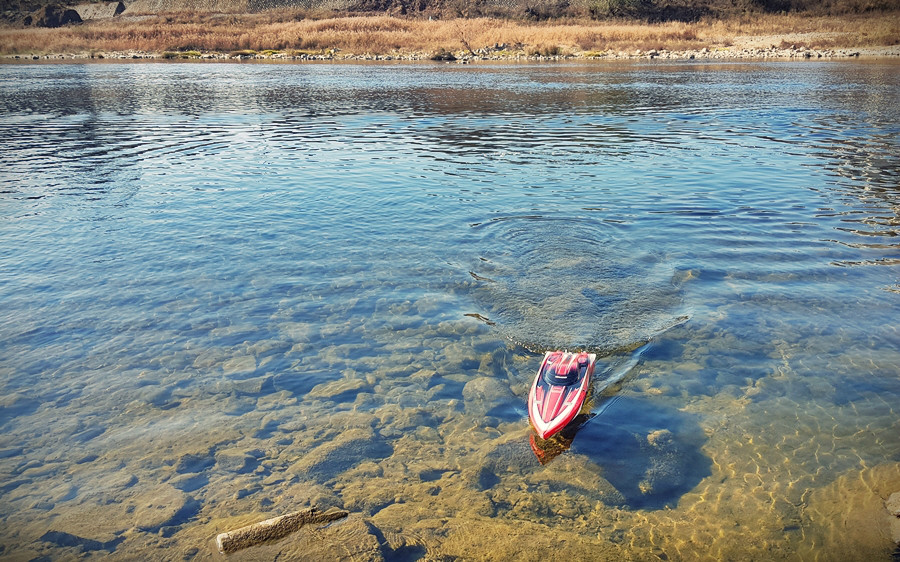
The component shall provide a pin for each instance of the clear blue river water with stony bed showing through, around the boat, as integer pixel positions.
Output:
(233, 291)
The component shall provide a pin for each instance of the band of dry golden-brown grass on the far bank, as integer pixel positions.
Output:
(287, 30)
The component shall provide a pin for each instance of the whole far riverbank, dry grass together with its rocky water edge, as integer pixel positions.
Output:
(254, 36)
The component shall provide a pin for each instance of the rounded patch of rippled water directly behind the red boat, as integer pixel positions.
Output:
(573, 282)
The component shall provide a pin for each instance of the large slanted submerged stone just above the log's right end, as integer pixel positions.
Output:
(334, 457)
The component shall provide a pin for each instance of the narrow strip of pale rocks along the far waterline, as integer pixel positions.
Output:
(494, 53)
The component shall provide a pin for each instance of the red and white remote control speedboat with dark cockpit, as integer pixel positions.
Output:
(559, 390)
